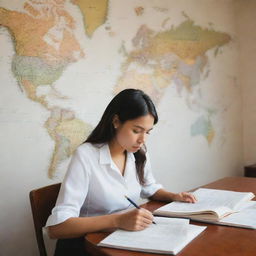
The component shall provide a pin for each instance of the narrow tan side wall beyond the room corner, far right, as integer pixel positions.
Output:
(246, 25)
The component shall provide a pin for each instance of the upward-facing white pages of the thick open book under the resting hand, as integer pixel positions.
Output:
(218, 201)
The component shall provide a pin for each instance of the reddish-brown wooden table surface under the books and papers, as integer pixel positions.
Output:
(216, 240)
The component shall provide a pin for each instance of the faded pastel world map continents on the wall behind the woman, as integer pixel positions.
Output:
(45, 43)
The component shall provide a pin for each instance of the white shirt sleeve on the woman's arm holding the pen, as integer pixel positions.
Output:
(73, 191)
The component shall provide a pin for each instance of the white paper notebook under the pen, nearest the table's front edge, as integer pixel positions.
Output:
(167, 236)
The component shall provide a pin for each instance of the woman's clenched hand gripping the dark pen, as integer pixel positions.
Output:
(134, 220)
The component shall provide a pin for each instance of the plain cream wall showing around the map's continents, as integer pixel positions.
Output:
(180, 161)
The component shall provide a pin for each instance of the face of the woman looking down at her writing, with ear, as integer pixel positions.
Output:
(132, 134)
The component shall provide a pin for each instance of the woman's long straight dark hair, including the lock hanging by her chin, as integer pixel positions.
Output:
(129, 104)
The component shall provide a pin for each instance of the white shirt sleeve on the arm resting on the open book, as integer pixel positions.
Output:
(150, 187)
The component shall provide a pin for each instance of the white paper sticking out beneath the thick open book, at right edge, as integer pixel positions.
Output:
(245, 218)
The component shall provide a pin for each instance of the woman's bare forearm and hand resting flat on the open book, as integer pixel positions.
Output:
(166, 196)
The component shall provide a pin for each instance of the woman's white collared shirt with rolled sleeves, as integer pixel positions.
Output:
(94, 186)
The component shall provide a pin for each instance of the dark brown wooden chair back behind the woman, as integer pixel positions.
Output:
(42, 201)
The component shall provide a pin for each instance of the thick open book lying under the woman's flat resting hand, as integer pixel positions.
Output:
(212, 205)
